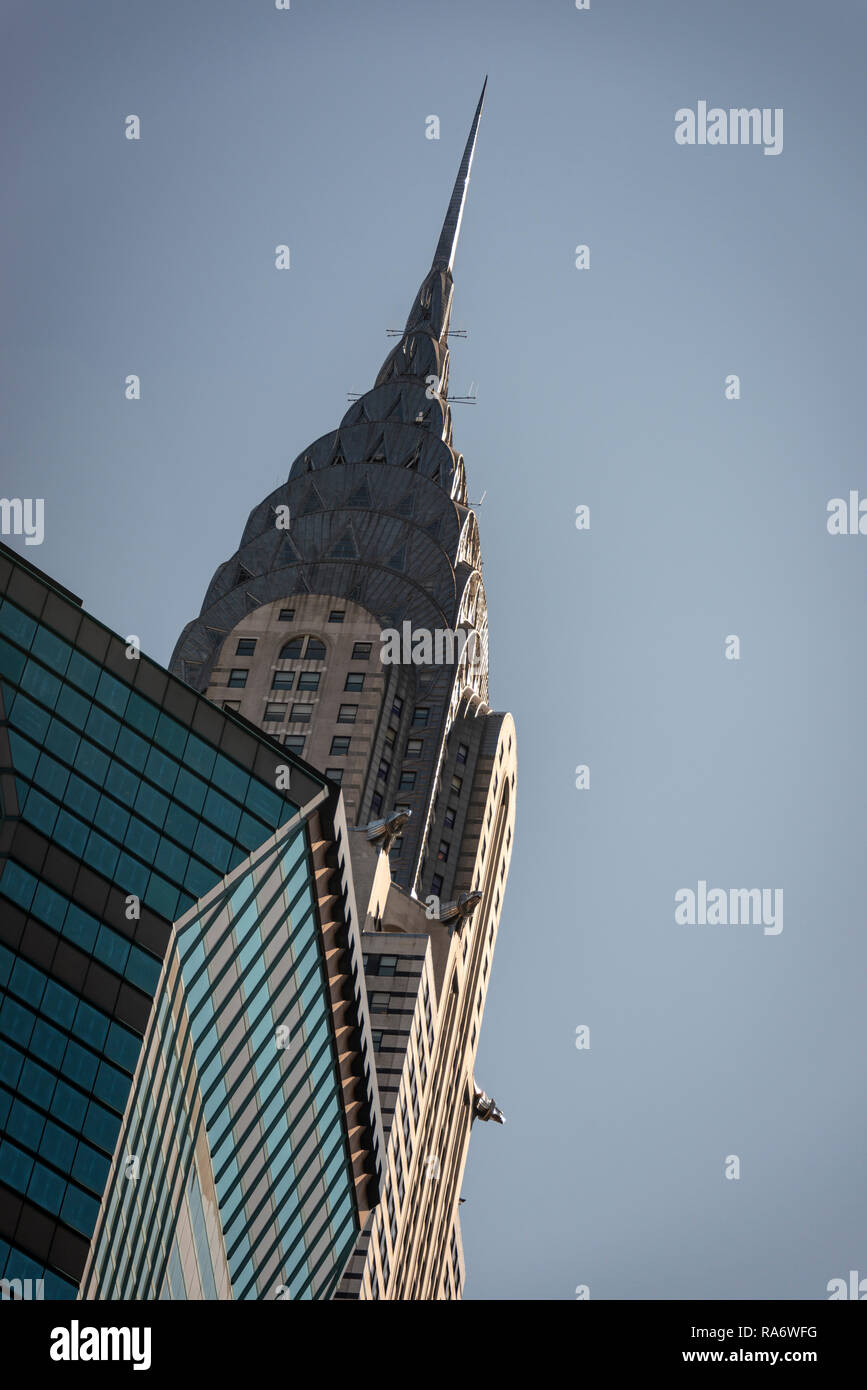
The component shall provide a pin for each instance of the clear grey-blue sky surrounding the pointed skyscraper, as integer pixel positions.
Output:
(602, 387)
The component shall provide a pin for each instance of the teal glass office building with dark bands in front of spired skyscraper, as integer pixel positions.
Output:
(133, 808)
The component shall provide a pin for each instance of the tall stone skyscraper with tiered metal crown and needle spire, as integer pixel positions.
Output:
(373, 533)
